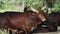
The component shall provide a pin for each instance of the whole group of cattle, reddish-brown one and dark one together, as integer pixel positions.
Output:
(29, 21)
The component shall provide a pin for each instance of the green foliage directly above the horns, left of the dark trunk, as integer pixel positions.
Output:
(34, 3)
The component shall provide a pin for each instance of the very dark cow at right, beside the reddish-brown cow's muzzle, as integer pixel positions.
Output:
(53, 21)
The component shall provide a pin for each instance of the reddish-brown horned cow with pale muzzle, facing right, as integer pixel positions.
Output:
(26, 21)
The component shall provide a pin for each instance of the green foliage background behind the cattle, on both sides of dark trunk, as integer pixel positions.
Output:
(13, 4)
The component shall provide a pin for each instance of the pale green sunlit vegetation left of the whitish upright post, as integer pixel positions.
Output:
(6, 5)
